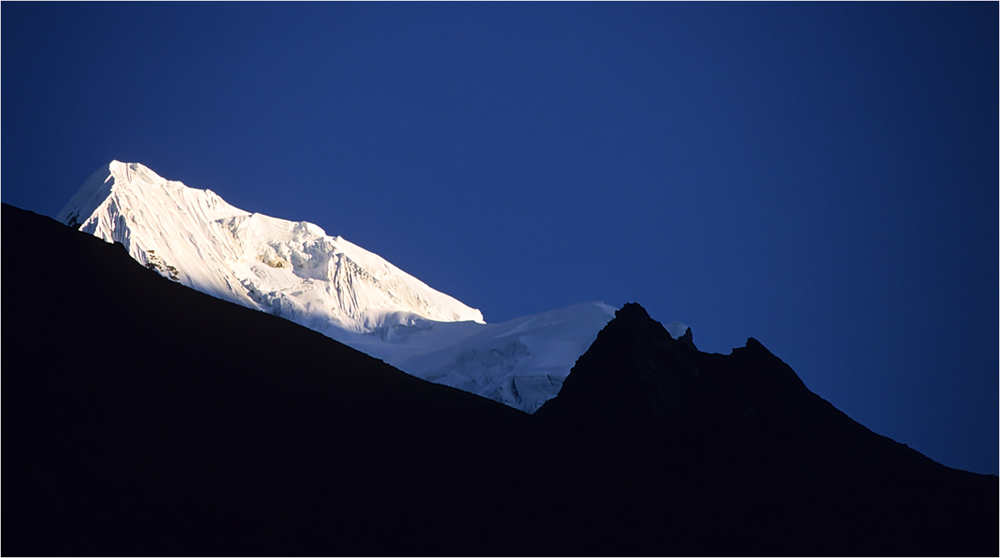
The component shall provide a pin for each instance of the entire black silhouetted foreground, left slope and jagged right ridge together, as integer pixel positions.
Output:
(140, 417)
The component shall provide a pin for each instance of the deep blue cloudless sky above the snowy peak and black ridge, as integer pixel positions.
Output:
(822, 177)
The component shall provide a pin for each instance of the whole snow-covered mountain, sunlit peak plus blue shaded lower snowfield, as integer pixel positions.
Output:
(296, 271)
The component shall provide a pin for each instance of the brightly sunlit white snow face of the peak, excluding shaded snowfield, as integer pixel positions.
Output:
(290, 269)
